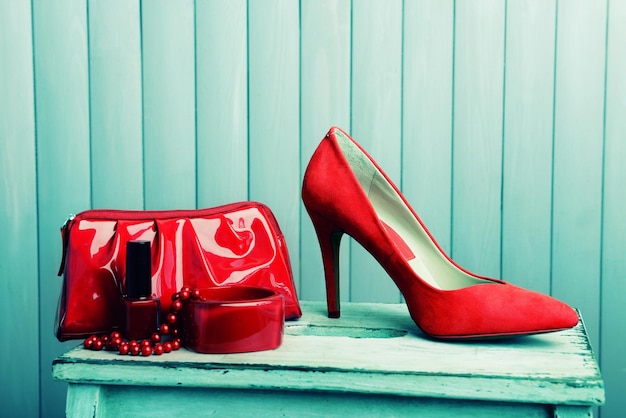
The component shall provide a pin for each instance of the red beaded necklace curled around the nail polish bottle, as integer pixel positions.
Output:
(157, 343)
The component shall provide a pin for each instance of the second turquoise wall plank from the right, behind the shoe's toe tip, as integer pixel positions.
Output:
(578, 131)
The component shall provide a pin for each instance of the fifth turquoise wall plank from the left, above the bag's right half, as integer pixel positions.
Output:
(222, 101)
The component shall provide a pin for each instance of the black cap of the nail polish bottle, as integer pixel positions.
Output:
(138, 269)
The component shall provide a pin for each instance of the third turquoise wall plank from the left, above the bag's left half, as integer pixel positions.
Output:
(115, 98)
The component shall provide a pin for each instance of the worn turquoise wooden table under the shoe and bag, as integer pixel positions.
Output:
(373, 361)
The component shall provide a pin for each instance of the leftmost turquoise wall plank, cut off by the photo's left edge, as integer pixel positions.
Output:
(18, 213)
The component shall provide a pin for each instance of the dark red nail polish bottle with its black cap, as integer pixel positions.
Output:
(141, 308)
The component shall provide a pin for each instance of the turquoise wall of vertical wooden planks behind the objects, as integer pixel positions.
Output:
(504, 122)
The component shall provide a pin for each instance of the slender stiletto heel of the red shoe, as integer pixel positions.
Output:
(329, 238)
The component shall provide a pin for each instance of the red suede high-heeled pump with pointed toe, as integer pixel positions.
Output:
(345, 191)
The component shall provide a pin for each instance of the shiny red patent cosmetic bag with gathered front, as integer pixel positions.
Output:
(235, 244)
